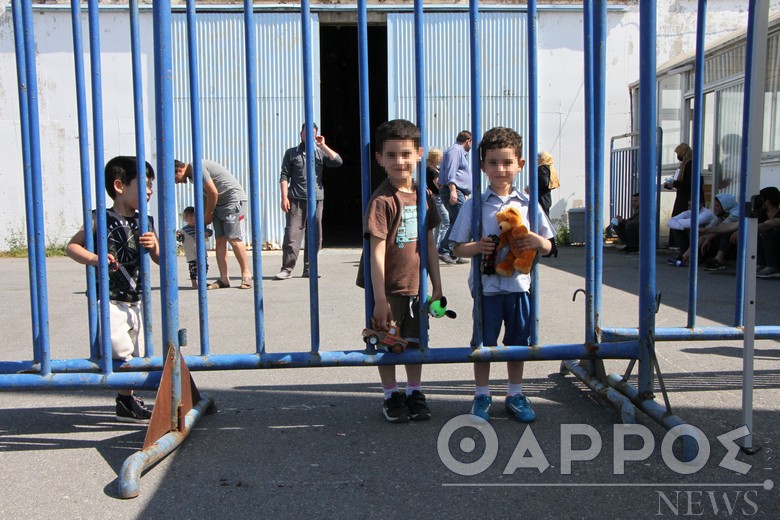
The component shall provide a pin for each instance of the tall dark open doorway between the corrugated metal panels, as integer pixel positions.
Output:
(340, 108)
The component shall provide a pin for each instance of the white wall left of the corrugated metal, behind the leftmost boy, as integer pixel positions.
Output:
(61, 173)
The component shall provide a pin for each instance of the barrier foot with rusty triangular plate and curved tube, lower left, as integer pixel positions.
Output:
(166, 430)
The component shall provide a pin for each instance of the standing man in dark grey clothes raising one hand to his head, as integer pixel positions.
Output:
(292, 184)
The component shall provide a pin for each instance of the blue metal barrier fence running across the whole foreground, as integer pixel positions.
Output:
(635, 344)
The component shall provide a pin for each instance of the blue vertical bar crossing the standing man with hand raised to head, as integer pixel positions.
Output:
(311, 181)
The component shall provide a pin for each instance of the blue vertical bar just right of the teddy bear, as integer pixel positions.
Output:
(532, 161)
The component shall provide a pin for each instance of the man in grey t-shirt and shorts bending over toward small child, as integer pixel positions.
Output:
(225, 204)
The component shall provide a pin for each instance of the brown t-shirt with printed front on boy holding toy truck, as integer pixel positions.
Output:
(392, 216)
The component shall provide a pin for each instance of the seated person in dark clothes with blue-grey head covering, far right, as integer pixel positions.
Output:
(717, 241)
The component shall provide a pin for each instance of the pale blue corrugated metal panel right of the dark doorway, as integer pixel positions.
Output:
(503, 52)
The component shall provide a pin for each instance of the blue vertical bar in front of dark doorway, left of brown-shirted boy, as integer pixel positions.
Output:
(365, 146)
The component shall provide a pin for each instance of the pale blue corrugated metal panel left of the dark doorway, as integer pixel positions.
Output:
(221, 63)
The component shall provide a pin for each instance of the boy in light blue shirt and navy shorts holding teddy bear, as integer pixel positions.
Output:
(505, 299)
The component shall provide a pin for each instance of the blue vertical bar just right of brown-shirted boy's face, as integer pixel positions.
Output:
(422, 210)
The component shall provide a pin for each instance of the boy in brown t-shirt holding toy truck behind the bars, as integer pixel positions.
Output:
(391, 226)
